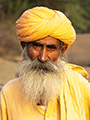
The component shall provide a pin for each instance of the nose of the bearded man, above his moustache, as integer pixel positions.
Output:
(43, 55)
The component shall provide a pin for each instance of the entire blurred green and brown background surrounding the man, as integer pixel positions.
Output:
(77, 11)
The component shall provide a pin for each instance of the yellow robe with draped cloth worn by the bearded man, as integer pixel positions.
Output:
(74, 102)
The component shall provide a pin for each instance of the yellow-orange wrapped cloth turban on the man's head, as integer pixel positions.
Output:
(39, 22)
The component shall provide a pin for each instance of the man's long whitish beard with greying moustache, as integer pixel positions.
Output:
(40, 81)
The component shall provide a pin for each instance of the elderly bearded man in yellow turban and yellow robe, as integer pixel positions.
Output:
(47, 87)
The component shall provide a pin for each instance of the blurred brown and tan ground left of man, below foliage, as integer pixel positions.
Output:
(10, 51)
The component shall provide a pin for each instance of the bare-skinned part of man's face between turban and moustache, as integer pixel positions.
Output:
(47, 48)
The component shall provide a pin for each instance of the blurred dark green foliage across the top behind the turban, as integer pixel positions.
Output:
(77, 11)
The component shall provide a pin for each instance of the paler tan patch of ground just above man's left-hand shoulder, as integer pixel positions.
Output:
(7, 70)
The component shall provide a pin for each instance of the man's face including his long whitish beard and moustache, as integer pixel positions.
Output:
(40, 69)
